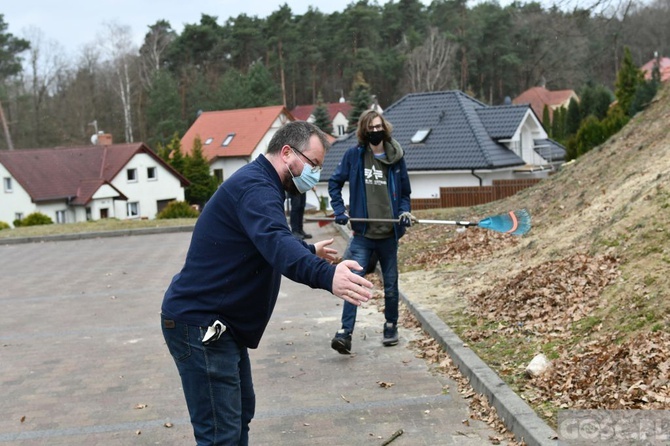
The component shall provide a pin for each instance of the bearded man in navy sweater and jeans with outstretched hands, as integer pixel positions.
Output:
(219, 304)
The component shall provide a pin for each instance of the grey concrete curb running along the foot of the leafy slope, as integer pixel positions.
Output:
(518, 417)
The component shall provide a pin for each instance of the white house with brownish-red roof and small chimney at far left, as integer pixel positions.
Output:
(75, 184)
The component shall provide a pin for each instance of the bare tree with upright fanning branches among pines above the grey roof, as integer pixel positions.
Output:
(428, 66)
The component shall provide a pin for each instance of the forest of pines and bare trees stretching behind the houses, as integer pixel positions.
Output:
(153, 92)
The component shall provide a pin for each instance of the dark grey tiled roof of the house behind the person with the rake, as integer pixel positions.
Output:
(463, 134)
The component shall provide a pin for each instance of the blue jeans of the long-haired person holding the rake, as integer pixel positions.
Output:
(360, 249)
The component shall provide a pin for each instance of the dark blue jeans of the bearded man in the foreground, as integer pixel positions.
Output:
(217, 383)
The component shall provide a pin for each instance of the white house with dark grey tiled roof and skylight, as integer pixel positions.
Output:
(453, 140)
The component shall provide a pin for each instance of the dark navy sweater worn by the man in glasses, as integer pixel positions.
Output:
(240, 248)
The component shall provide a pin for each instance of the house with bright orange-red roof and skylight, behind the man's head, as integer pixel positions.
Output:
(232, 138)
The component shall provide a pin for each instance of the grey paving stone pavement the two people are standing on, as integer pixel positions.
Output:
(83, 360)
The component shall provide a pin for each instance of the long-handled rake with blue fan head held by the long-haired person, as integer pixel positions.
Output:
(513, 222)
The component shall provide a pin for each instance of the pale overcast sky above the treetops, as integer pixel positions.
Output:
(74, 23)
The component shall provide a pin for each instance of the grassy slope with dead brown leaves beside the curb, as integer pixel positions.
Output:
(599, 242)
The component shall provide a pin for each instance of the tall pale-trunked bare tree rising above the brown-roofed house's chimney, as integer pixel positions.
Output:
(117, 43)
